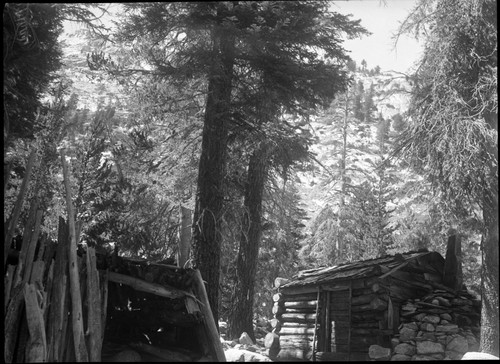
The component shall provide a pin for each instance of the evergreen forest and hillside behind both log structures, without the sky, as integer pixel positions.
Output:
(251, 116)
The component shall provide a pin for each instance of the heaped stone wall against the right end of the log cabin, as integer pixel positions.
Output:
(442, 325)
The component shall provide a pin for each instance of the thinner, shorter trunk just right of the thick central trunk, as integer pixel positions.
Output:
(241, 315)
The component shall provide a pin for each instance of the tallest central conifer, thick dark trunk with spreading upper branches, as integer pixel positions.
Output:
(229, 43)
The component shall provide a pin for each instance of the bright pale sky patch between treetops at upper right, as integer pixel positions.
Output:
(382, 19)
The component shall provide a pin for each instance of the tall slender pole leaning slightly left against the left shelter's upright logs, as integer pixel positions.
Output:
(76, 300)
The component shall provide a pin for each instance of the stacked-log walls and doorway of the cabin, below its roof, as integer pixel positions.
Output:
(365, 313)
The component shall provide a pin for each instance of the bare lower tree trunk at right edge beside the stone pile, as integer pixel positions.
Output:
(489, 273)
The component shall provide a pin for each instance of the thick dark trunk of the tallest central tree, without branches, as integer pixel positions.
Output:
(209, 200)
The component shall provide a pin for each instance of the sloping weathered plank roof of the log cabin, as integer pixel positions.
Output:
(358, 269)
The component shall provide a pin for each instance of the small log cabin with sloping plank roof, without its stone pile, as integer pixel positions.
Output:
(337, 313)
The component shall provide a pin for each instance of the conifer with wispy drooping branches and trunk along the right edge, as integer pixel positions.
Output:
(452, 137)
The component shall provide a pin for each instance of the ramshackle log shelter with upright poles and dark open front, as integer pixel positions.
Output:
(65, 303)
